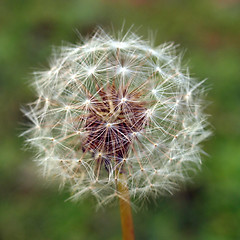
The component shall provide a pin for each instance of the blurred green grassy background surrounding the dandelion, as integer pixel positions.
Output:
(208, 208)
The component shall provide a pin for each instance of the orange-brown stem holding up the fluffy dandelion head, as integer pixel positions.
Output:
(125, 209)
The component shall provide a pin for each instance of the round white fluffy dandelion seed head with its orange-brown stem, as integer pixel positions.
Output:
(117, 117)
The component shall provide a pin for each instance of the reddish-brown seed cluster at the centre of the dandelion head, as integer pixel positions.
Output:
(112, 122)
